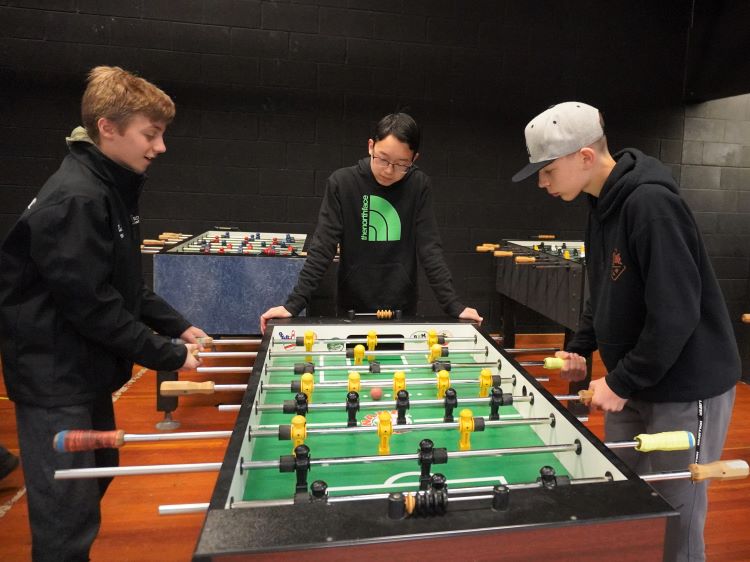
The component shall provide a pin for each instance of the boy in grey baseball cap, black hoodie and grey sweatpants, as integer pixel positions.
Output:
(655, 313)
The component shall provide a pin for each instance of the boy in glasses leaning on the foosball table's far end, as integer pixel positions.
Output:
(380, 214)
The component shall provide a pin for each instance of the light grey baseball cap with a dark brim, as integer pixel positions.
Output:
(559, 131)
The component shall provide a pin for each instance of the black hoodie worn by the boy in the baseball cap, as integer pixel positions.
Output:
(656, 312)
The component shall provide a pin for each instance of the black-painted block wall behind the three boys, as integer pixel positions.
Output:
(274, 95)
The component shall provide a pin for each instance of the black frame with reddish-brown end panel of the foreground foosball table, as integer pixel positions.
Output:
(624, 518)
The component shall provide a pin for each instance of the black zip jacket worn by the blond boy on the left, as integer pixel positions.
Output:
(74, 311)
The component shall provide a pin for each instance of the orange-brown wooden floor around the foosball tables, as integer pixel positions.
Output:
(132, 530)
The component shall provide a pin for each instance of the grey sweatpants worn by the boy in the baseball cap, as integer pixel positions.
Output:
(708, 420)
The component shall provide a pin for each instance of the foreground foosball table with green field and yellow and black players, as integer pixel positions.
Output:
(485, 465)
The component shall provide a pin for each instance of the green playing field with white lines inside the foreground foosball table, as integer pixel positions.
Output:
(374, 477)
